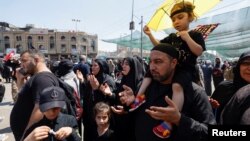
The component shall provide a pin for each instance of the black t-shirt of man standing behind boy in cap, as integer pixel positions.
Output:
(27, 97)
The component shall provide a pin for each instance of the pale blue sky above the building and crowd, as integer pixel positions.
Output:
(107, 18)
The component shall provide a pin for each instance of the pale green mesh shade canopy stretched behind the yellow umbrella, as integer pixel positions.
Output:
(229, 39)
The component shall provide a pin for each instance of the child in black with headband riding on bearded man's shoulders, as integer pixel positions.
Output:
(190, 45)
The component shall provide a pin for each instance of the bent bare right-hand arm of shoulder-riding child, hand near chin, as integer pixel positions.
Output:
(194, 47)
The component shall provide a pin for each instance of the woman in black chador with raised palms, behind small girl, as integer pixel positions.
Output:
(95, 92)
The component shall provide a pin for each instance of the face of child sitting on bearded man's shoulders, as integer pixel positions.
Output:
(181, 21)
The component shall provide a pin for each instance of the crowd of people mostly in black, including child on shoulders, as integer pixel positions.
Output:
(168, 98)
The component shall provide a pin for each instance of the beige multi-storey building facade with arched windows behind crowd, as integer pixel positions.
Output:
(54, 44)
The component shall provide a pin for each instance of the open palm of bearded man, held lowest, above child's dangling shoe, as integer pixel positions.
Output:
(169, 114)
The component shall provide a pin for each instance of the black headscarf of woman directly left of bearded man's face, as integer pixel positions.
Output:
(135, 75)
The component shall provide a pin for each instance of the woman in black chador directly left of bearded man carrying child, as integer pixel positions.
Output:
(132, 71)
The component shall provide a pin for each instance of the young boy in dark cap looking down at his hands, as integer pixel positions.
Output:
(54, 125)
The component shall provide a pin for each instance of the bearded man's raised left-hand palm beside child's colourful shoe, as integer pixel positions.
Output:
(127, 96)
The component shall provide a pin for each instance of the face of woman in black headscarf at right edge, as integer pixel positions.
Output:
(245, 70)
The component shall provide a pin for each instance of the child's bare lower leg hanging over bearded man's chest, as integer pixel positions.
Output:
(178, 95)
